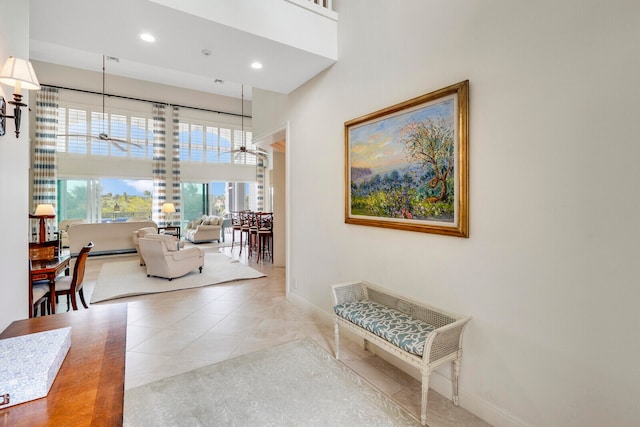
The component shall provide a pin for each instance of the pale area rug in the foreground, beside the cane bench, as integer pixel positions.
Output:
(293, 384)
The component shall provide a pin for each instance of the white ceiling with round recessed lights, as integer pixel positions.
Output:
(78, 33)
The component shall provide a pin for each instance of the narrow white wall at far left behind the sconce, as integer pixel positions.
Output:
(14, 173)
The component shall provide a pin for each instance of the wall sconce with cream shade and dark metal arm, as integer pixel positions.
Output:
(20, 74)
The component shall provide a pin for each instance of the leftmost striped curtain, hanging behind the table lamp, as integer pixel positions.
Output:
(44, 156)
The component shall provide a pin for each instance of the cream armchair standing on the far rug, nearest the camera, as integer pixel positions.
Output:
(163, 259)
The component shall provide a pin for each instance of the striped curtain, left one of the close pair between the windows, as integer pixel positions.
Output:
(159, 163)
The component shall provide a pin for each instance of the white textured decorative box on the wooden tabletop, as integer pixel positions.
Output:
(29, 365)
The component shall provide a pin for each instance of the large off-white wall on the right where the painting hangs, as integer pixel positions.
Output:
(549, 271)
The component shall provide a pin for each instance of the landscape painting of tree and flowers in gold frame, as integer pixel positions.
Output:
(407, 165)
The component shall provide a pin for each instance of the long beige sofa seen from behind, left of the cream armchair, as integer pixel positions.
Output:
(108, 238)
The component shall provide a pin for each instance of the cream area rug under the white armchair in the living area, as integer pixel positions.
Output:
(128, 278)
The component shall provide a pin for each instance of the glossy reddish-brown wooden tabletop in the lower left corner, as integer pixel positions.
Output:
(89, 388)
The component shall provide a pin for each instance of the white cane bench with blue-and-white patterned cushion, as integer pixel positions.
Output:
(421, 335)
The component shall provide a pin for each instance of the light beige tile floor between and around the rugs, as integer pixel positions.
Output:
(175, 332)
